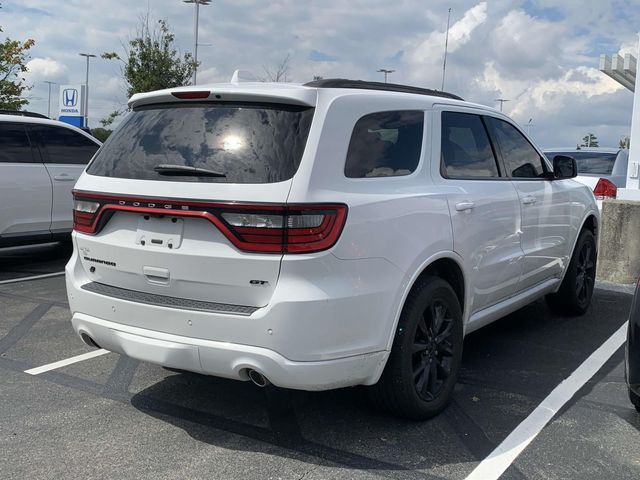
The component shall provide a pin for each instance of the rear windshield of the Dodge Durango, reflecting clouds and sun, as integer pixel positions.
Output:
(241, 143)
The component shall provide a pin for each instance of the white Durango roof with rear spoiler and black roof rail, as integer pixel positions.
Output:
(298, 94)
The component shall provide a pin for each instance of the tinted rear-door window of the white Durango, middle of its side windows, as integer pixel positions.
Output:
(465, 148)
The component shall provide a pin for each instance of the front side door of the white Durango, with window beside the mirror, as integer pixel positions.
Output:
(545, 204)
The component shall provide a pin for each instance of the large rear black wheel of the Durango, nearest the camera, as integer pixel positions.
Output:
(423, 365)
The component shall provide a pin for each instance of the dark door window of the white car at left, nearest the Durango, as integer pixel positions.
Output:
(62, 145)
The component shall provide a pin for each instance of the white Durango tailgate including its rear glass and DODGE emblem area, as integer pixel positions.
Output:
(245, 156)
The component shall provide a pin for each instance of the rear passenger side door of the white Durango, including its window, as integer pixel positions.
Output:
(484, 207)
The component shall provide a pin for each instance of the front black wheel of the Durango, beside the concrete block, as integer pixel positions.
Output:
(574, 296)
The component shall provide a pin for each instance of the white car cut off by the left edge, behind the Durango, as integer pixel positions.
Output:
(40, 160)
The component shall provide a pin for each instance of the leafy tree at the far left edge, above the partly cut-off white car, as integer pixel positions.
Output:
(13, 66)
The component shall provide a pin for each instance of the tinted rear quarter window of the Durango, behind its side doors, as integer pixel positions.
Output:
(385, 144)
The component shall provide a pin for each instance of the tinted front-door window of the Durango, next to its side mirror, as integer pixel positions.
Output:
(520, 159)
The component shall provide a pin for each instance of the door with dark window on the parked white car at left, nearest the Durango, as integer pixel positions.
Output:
(65, 154)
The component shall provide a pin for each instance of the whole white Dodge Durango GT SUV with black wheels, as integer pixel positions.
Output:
(320, 236)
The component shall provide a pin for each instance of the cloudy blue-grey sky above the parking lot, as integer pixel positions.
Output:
(540, 55)
